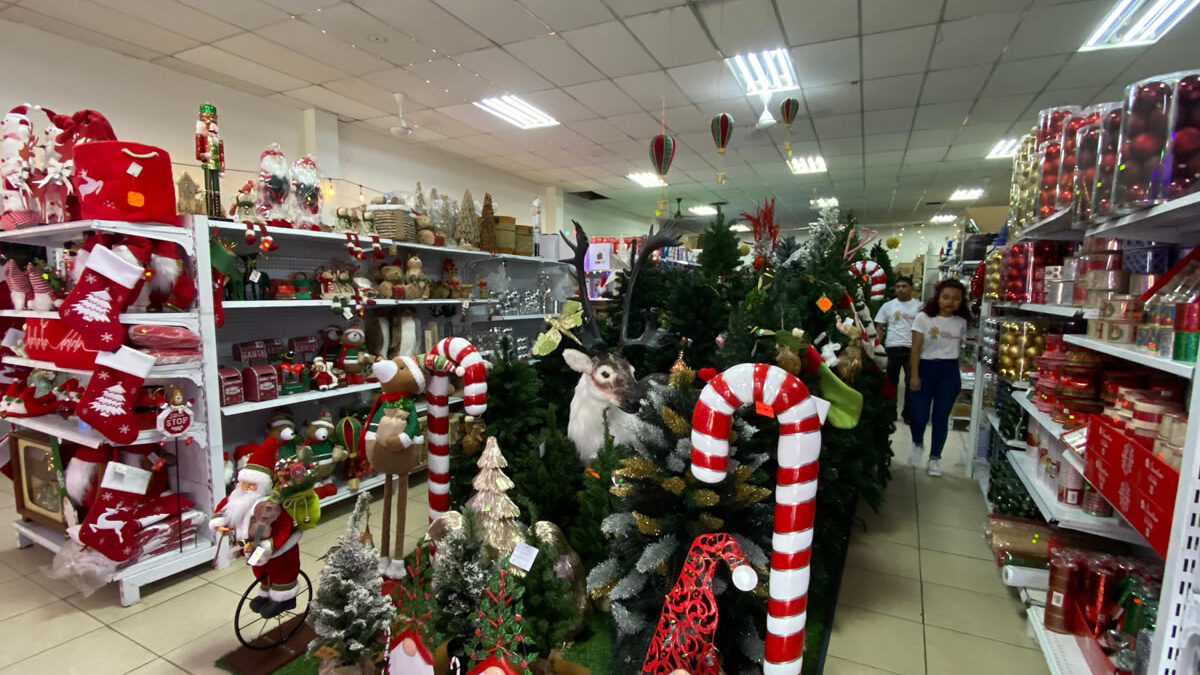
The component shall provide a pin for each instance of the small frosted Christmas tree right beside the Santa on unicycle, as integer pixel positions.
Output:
(351, 616)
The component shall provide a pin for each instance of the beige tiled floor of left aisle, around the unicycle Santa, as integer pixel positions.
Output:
(183, 624)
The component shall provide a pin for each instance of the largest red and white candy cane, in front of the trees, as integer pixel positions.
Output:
(800, 445)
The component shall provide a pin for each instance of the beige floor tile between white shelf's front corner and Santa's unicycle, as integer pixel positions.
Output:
(183, 619)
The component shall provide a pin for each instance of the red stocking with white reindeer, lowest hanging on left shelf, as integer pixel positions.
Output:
(111, 527)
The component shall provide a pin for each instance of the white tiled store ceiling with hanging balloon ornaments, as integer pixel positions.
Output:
(903, 99)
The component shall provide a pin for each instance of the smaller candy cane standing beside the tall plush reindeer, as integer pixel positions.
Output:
(460, 357)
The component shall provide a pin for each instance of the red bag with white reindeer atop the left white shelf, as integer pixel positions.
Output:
(121, 181)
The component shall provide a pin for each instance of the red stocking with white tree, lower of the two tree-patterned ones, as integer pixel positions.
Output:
(107, 402)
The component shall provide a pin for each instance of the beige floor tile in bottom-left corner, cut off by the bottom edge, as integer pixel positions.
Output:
(100, 653)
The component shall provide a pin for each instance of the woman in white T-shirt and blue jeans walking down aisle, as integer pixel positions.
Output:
(934, 381)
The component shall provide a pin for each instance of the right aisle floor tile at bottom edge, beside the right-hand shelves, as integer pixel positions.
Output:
(958, 653)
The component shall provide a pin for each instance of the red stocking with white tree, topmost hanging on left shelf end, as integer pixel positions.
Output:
(105, 289)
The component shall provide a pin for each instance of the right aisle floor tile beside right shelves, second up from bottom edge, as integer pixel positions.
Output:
(977, 614)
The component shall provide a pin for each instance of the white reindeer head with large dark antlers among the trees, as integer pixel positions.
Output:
(609, 393)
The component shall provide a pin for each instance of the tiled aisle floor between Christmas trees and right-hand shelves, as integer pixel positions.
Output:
(921, 594)
